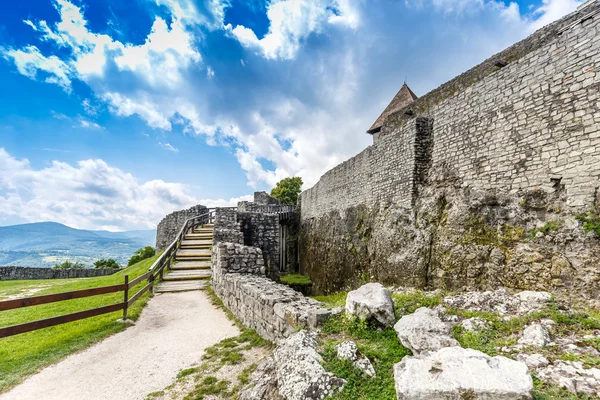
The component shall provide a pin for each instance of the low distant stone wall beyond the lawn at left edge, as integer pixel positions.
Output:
(22, 273)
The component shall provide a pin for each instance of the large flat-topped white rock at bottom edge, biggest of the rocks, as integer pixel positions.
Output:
(454, 373)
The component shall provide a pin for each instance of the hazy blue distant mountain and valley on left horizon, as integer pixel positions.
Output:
(43, 244)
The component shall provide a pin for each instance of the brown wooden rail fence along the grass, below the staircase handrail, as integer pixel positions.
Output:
(77, 294)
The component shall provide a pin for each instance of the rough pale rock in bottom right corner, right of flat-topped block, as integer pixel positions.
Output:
(572, 376)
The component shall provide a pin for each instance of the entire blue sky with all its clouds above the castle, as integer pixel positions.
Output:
(114, 113)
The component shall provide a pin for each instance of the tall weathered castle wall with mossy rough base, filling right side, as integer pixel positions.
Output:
(480, 187)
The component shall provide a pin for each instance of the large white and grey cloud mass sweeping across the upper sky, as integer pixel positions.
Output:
(300, 98)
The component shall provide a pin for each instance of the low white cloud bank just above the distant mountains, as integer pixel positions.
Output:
(90, 195)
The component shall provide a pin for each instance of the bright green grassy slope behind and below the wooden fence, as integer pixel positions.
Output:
(24, 354)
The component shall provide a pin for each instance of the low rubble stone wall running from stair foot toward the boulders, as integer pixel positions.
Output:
(273, 310)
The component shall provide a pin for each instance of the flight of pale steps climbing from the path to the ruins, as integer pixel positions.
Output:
(191, 269)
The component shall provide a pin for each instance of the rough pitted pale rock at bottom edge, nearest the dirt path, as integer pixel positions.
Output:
(300, 375)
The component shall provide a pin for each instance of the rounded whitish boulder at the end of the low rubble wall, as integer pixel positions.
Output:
(372, 302)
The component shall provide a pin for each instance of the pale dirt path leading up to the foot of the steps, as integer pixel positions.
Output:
(171, 334)
